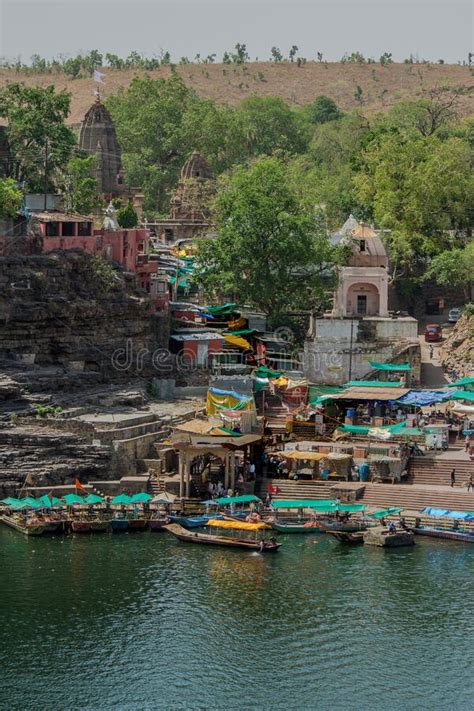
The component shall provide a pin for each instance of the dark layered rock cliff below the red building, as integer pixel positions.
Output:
(70, 309)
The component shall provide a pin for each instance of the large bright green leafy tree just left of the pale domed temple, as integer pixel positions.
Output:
(268, 252)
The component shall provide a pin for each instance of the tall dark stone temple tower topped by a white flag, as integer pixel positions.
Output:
(98, 137)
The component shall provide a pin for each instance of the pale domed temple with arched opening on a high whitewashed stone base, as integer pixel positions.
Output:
(359, 328)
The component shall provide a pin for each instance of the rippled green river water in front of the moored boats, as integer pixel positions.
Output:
(141, 621)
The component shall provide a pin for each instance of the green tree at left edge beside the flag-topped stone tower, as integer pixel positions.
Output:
(36, 132)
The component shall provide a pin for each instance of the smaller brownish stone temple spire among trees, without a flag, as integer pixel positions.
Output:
(189, 207)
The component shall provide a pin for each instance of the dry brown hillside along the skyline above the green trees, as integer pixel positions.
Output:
(381, 86)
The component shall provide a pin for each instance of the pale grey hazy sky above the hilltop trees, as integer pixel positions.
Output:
(429, 29)
